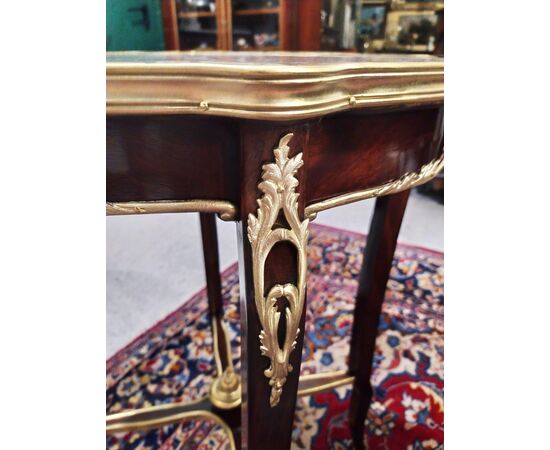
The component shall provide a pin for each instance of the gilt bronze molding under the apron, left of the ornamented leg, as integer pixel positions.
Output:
(225, 210)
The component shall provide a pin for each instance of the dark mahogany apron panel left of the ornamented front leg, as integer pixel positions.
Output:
(171, 158)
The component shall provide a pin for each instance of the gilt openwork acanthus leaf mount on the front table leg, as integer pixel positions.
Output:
(279, 192)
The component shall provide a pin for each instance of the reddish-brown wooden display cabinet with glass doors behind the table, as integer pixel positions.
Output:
(242, 24)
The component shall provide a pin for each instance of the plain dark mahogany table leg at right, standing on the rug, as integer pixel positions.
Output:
(373, 278)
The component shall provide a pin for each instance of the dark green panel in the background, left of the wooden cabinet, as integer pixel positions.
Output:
(134, 25)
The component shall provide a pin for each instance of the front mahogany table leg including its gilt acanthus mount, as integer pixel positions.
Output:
(272, 258)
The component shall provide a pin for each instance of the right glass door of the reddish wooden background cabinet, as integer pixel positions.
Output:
(256, 24)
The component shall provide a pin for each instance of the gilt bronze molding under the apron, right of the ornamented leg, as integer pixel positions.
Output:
(407, 181)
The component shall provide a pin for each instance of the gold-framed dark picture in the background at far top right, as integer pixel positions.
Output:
(413, 31)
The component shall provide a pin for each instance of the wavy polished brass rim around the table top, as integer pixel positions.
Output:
(297, 86)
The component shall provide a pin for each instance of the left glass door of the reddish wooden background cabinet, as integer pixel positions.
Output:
(198, 23)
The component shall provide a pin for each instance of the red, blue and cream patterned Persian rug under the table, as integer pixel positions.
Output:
(173, 361)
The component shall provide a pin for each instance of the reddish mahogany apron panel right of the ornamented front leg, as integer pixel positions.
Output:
(365, 150)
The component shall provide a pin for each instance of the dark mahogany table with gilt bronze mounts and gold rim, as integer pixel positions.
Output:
(268, 141)
